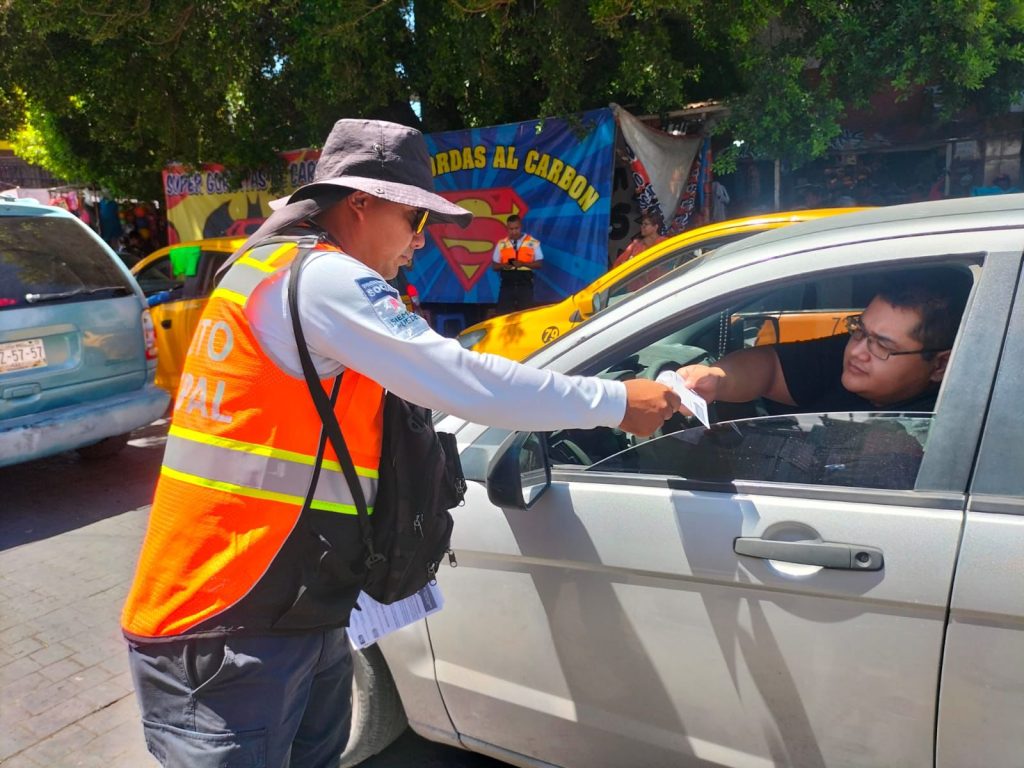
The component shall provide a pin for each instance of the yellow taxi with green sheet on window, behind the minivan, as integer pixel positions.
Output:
(178, 281)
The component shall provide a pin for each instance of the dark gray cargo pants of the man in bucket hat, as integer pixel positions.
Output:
(258, 702)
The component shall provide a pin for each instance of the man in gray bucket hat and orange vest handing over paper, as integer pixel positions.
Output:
(236, 619)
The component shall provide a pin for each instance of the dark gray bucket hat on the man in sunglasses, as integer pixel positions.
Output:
(386, 160)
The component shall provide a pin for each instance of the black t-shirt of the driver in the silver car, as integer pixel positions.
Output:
(814, 372)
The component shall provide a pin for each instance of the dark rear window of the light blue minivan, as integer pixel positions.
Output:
(46, 260)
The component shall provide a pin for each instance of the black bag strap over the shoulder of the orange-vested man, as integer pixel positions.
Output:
(330, 421)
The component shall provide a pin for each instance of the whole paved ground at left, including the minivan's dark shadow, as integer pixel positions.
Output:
(70, 536)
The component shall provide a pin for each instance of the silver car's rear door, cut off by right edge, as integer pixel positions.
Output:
(982, 703)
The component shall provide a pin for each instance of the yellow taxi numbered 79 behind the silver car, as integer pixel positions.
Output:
(519, 334)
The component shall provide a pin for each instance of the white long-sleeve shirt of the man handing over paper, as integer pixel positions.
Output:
(352, 318)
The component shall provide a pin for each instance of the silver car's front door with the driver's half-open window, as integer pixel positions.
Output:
(649, 619)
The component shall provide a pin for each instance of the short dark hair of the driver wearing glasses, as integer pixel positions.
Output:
(940, 301)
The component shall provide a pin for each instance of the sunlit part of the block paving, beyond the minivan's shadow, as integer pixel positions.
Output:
(66, 694)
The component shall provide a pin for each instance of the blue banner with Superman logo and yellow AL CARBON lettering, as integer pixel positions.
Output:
(557, 176)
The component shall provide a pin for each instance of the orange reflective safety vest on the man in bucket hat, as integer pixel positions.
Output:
(229, 548)
